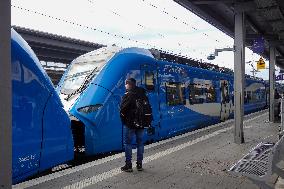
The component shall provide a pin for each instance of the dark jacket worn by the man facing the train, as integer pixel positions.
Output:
(128, 105)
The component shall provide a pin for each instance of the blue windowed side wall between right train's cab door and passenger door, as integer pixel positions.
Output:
(183, 107)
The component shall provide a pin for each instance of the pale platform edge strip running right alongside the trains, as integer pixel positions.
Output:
(59, 174)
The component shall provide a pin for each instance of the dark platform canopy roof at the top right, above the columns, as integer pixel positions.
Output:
(264, 18)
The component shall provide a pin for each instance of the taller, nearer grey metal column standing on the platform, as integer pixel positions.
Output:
(239, 76)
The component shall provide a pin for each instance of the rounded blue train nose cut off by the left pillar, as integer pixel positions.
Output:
(41, 129)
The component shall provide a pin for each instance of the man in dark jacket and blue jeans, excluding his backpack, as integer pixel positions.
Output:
(127, 114)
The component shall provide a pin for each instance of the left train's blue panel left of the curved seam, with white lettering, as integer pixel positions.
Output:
(29, 97)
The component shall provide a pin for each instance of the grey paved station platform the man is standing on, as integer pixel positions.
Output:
(199, 159)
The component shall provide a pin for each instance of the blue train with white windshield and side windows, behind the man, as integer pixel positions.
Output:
(182, 97)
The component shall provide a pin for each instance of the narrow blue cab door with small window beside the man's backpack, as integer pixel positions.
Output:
(150, 83)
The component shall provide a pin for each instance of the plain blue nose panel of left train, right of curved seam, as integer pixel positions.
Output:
(57, 144)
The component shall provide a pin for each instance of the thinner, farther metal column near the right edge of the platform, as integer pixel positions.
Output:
(271, 83)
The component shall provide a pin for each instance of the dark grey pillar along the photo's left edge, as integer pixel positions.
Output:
(5, 96)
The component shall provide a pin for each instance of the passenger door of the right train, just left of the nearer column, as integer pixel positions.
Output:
(225, 100)
